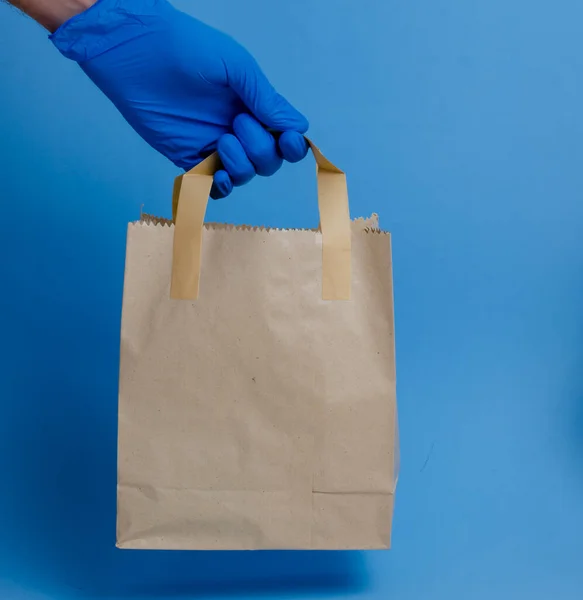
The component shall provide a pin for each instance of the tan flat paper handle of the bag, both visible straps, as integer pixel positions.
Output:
(189, 203)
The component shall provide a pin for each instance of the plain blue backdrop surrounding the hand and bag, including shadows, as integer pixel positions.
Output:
(461, 123)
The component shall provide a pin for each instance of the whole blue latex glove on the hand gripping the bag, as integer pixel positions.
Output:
(186, 88)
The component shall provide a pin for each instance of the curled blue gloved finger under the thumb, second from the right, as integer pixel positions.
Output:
(258, 143)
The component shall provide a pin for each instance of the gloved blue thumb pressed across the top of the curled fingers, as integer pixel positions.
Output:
(248, 81)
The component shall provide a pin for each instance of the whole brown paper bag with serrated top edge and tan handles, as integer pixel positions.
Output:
(257, 381)
